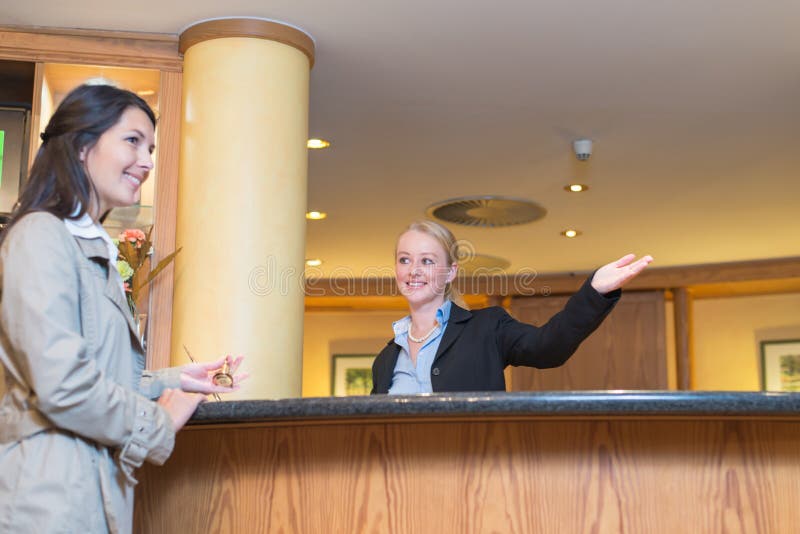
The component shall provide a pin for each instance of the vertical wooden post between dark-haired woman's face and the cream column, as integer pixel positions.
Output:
(166, 204)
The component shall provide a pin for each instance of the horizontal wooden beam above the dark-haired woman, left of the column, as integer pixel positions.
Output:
(124, 49)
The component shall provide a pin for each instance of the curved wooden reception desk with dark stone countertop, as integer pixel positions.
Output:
(483, 462)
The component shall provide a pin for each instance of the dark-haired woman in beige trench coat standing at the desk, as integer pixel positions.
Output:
(77, 417)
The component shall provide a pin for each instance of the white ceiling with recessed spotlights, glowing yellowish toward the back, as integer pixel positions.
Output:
(692, 106)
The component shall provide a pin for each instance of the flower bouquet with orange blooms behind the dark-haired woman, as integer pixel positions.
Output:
(135, 248)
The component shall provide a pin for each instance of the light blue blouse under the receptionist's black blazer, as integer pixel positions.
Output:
(407, 379)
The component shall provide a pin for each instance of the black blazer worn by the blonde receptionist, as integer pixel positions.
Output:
(478, 345)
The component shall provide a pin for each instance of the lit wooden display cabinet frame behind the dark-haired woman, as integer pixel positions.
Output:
(148, 64)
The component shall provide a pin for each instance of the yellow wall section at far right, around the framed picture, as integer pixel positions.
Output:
(727, 336)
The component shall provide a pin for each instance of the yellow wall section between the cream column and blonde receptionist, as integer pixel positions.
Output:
(340, 332)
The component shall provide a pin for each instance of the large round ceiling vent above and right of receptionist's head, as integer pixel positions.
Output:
(487, 211)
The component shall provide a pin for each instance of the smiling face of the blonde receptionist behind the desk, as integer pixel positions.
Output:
(422, 269)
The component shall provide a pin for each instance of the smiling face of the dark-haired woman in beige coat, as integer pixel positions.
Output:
(120, 161)
